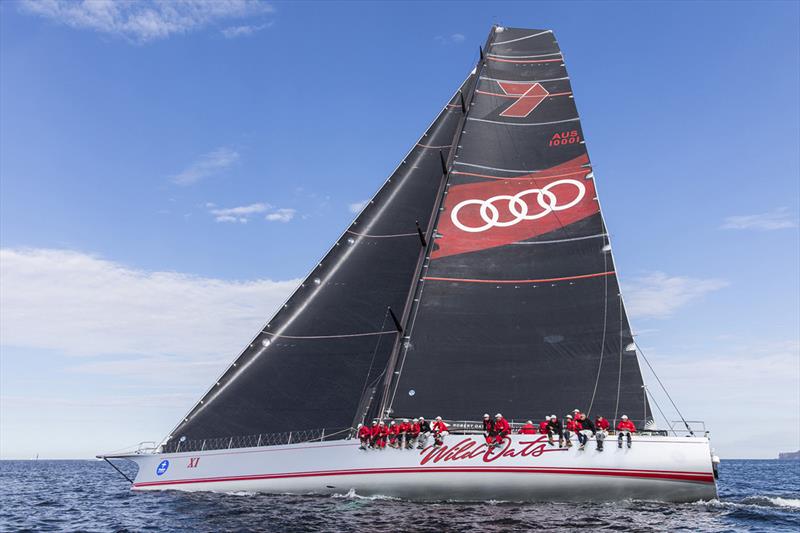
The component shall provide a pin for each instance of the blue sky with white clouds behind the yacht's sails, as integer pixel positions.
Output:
(167, 174)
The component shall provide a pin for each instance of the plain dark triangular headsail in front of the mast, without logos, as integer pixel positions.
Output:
(317, 361)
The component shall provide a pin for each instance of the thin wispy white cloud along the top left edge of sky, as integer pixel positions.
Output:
(144, 20)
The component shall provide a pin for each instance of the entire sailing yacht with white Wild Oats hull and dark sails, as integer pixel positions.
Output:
(479, 278)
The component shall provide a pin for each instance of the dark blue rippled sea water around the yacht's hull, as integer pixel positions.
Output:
(91, 496)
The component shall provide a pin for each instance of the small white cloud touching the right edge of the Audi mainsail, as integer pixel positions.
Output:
(658, 295)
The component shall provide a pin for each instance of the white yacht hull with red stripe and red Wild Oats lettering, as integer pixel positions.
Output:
(526, 468)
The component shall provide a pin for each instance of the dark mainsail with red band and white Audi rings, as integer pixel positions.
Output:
(519, 308)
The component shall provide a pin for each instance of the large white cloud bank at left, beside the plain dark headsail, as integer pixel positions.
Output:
(86, 306)
